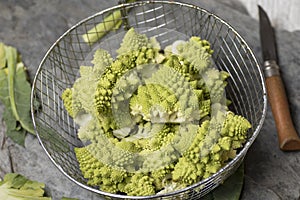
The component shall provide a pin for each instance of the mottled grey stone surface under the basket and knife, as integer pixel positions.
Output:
(32, 26)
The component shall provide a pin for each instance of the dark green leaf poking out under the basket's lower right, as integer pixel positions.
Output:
(230, 189)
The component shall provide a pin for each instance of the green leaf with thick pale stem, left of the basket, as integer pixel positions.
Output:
(15, 95)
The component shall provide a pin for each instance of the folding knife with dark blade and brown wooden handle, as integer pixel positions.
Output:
(287, 136)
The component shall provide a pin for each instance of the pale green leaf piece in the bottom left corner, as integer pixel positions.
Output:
(17, 187)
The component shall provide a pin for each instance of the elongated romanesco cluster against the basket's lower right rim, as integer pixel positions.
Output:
(211, 148)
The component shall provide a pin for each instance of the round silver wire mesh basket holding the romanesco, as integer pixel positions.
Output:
(59, 68)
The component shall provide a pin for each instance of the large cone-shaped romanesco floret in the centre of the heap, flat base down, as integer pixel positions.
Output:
(167, 96)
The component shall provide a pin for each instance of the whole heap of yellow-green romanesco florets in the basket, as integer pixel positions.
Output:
(153, 121)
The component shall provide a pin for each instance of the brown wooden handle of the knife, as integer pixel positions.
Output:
(287, 135)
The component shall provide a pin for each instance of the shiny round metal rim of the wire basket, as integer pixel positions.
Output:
(241, 154)
